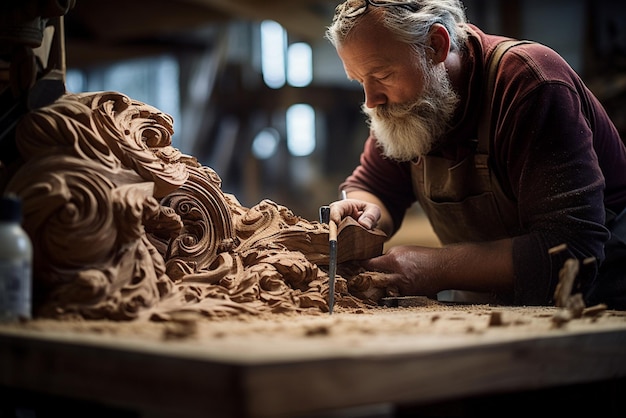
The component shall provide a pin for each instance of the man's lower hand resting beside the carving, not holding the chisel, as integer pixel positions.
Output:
(408, 269)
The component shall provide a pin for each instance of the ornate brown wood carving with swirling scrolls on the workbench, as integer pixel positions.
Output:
(125, 226)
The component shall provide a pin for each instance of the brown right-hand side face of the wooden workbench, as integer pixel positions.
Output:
(297, 388)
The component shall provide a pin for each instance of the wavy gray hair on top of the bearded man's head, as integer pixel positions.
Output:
(411, 27)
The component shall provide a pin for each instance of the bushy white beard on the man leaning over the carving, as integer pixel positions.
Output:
(408, 131)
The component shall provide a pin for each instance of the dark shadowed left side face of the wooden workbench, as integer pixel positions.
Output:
(155, 384)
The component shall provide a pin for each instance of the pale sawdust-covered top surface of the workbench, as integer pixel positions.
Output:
(347, 327)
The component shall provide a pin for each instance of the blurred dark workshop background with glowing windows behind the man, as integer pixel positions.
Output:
(260, 96)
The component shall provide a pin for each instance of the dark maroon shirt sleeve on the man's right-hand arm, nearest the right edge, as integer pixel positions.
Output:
(553, 171)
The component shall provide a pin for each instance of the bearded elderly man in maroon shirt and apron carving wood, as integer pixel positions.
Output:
(508, 153)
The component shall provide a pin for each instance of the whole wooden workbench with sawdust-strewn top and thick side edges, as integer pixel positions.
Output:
(293, 366)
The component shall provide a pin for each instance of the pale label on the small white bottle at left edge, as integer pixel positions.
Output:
(15, 289)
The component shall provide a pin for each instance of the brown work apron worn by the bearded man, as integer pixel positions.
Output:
(464, 203)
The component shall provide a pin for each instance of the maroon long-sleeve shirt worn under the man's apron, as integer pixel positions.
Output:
(554, 151)
